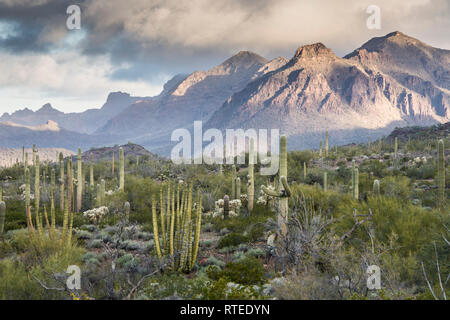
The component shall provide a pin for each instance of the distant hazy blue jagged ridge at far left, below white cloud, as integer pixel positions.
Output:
(83, 122)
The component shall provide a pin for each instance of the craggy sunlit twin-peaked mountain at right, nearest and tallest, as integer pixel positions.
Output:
(365, 93)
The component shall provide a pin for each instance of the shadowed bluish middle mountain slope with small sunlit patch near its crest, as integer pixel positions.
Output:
(188, 98)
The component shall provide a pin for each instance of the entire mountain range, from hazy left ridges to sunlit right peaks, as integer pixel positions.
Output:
(390, 81)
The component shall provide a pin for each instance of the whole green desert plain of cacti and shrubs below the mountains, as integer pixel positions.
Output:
(144, 228)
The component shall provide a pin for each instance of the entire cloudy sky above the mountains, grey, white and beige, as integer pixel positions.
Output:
(136, 45)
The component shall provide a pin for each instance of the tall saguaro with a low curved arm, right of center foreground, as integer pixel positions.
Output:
(283, 191)
